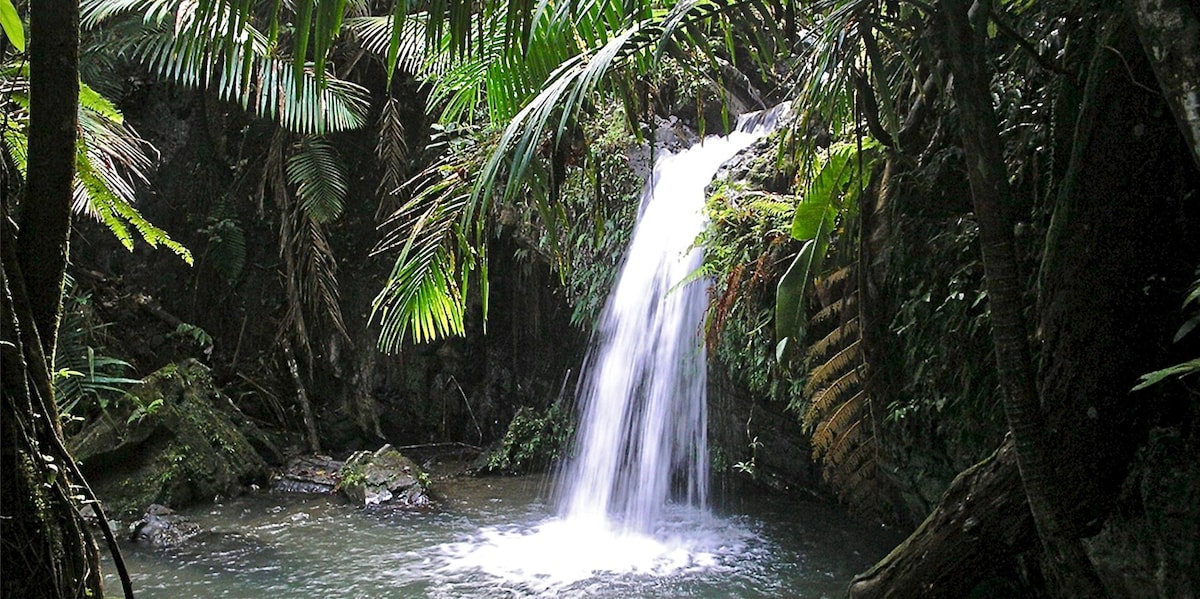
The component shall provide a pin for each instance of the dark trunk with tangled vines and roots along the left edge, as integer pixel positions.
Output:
(47, 552)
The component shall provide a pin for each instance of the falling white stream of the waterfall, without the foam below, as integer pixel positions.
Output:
(643, 439)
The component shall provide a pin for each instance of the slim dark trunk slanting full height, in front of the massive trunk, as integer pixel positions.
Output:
(1071, 572)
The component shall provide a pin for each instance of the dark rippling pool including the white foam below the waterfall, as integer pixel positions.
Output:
(497, 538)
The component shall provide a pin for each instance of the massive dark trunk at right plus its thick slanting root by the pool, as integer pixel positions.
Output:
(1120, 253)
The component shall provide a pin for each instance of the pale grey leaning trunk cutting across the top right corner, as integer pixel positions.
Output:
(1171, 33)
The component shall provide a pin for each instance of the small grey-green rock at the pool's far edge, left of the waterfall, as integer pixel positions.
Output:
(385, 477)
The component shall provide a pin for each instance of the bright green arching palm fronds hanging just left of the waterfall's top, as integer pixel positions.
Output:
(533, 95)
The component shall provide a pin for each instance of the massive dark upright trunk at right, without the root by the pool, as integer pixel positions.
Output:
(1119, 255)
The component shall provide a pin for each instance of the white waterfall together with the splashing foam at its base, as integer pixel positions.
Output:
(634, 498)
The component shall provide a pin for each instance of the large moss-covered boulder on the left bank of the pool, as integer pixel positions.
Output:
(183, 451)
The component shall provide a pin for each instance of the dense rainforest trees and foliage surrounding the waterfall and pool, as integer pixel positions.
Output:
(957, 293)
